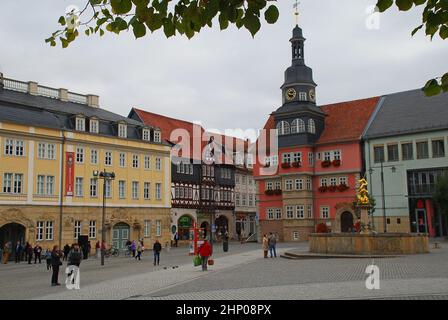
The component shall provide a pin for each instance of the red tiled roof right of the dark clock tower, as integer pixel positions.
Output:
(346, 121)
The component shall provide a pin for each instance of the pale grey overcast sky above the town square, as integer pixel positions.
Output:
(224, 79)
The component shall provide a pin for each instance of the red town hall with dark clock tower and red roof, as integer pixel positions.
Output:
(318, 160)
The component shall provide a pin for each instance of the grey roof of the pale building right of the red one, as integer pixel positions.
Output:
(409, 112)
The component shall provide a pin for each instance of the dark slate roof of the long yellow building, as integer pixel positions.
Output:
(39, 111)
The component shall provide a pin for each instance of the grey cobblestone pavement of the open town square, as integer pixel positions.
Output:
(244, 275)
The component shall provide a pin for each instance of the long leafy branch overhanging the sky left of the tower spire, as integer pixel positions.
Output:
(185, 17)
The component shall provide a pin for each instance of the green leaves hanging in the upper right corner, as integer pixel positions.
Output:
(434, 22)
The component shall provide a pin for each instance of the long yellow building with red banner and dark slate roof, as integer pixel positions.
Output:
(50, 148)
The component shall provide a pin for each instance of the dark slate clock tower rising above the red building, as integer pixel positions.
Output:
(298, 121)
